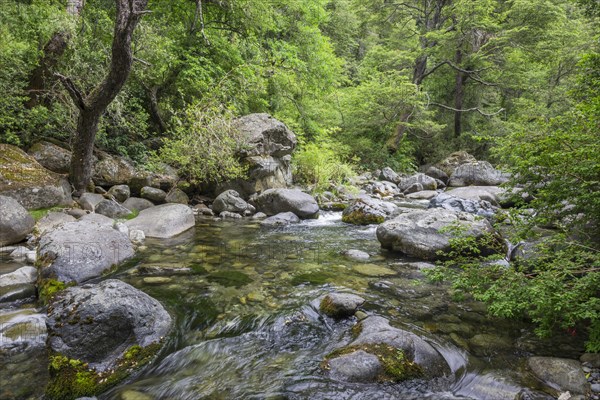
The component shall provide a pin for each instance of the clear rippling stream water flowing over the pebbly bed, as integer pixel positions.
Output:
(247, 325)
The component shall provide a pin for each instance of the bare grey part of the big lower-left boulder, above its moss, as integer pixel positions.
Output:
(98, 323)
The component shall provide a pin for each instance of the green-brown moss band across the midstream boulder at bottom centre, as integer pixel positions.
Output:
(396, 367)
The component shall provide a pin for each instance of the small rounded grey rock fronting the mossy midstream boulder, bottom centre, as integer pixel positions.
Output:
(358, 366)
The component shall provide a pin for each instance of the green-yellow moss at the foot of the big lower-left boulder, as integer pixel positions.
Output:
(70, 379)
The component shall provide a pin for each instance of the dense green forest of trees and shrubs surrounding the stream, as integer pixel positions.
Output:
(364, 84)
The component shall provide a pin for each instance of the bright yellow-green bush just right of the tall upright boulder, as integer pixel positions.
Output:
(322, 162)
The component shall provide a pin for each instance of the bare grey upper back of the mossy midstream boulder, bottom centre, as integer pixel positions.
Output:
(375, 329)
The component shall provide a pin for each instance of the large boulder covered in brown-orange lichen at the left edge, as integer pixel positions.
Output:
(25, 180)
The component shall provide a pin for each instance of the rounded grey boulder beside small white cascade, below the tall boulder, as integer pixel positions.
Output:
(275, 201)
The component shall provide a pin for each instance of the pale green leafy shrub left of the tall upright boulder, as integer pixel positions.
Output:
(205, 146)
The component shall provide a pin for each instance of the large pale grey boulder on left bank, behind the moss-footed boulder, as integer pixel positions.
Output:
(81, 250)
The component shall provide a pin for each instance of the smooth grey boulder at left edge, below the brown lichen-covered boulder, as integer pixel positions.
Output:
(15, 223)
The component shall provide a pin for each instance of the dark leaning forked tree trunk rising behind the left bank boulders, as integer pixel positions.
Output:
(92, 106)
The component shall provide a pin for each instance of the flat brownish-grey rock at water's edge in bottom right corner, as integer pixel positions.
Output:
(561, 374)
